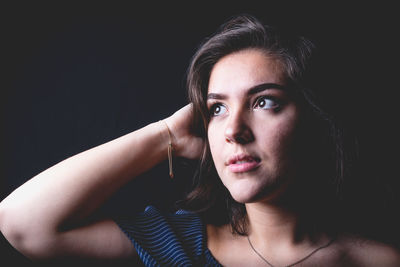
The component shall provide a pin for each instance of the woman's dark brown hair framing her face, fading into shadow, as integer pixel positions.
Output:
(209, 197)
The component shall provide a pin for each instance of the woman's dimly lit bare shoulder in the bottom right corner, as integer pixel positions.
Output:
(367, 252)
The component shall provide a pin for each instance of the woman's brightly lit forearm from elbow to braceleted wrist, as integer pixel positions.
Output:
(71, 190)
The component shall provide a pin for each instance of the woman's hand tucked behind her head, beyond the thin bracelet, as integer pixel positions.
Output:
(185, 143)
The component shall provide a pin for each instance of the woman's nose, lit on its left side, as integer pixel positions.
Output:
(237, 129)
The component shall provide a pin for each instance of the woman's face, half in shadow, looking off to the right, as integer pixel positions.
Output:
(252, 126)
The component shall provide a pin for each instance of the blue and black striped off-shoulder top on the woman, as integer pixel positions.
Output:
(176, 239)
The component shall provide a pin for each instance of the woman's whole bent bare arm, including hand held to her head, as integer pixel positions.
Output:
(50, 215)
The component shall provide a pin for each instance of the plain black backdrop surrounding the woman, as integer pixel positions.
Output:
(77, 75)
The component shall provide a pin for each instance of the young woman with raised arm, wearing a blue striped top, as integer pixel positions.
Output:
(272, 160)
